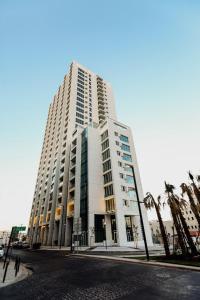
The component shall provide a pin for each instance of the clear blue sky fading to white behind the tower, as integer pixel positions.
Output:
(148, 50)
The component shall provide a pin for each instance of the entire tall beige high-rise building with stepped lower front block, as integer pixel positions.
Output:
(85, 191)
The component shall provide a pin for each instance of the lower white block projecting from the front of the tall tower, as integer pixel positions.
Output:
(111, 195)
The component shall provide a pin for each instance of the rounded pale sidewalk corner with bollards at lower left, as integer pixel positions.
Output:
(10, 276)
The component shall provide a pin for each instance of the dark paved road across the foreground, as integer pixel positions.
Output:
(57, 276)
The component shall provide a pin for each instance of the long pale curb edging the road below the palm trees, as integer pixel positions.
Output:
(149, 263)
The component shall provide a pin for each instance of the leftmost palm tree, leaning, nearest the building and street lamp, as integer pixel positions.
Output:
(149, 203)
